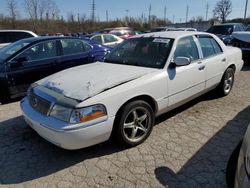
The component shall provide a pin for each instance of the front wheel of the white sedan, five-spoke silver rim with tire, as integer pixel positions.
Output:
(134, 124)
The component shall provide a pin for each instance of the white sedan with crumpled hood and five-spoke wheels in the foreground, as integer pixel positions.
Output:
(145, 76)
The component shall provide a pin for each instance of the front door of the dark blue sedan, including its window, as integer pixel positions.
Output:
(32, 64)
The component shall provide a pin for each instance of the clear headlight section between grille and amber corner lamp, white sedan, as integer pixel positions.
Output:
(61, 112)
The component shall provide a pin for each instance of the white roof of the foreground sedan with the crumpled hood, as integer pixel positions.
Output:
(170, 34)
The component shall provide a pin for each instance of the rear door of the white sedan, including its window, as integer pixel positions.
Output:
(213, 58)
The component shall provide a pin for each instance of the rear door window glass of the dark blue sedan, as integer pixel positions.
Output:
(72, 46)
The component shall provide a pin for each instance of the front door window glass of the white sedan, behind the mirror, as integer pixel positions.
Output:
(186, 47)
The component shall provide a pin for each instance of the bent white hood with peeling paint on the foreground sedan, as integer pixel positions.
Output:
(85, 81)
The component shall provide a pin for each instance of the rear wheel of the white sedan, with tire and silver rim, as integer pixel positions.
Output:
(227, 82)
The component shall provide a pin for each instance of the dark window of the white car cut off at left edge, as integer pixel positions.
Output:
(9, 37)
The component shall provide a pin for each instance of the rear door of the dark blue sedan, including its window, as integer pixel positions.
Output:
(73, 52)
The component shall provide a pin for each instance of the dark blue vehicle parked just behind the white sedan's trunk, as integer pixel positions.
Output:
(224, 31)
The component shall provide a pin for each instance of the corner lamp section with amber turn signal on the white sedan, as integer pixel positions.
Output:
(87, 113)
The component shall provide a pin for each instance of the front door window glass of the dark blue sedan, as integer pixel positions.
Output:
(40, 51)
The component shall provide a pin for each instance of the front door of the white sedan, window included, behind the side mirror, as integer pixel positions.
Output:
(186, 81)
